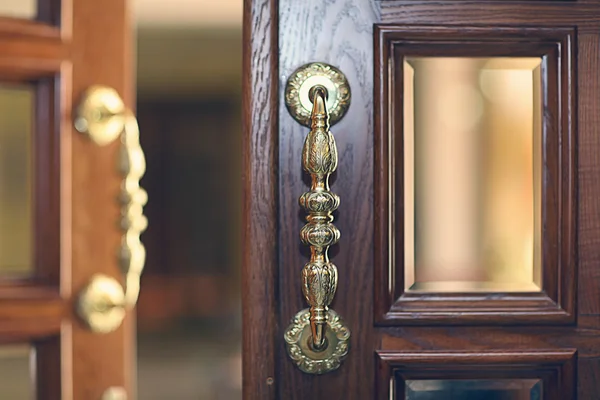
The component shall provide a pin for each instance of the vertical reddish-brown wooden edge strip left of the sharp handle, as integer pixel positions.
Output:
(261, 342)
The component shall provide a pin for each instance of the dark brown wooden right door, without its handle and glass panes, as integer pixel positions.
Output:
(403, 337)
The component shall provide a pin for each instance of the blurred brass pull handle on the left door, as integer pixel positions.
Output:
(103, 116)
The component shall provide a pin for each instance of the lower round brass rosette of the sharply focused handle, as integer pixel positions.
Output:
(298, 337)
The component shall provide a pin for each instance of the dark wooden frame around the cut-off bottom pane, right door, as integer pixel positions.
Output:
(556, 368)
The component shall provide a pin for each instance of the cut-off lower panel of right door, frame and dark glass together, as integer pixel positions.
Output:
(550, 374)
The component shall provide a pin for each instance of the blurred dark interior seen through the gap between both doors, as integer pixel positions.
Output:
(189, 64)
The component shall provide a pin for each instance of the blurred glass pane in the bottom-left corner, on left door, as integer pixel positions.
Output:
(16, 373)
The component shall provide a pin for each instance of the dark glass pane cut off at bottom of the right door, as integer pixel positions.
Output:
(501, 389)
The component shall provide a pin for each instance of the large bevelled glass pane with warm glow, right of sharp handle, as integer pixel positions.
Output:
(472, 180)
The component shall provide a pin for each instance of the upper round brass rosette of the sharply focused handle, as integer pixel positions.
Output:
(298, 100)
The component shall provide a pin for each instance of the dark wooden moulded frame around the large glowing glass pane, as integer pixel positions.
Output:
(556, 302)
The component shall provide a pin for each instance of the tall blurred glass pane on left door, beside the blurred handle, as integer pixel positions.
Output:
(16, 116)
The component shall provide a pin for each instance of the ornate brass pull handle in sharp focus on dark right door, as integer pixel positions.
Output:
(317, 339)
